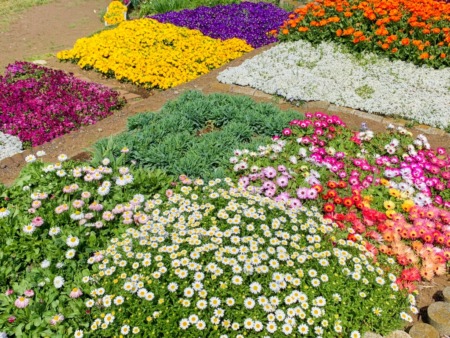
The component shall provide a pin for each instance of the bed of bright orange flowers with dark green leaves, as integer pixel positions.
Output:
(415, 31)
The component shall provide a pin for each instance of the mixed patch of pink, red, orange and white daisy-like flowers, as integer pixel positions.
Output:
(319, 162)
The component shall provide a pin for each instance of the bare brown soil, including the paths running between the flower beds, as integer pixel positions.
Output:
(42, 31)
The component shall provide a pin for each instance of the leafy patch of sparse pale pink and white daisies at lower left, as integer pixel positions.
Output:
(53, 222)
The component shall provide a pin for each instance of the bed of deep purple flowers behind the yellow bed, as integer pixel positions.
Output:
(247, 21)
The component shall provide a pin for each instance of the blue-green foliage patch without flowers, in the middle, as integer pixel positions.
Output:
(195, 134)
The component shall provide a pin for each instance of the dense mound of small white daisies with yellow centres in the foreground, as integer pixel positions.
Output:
(225, 262)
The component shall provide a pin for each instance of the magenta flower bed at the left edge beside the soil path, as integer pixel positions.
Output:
(39, 104)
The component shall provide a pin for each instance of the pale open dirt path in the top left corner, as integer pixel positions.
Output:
(46, 29)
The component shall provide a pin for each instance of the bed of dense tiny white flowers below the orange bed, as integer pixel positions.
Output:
(301, 71)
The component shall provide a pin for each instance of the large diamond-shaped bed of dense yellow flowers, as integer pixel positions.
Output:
(153, 54)
